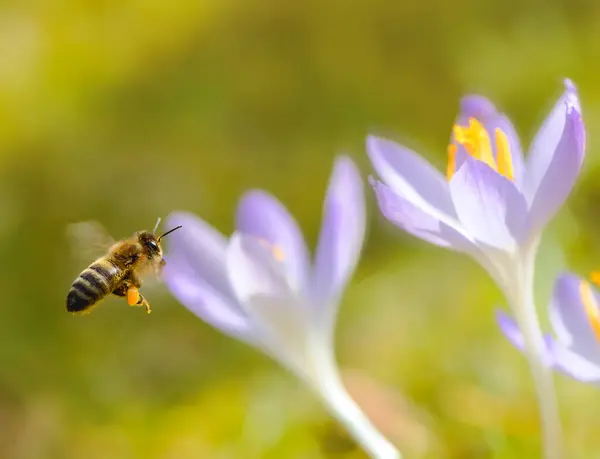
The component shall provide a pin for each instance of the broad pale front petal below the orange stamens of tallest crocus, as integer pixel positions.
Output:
(489, 206)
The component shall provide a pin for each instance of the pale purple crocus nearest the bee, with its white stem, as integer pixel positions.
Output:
(260, 287)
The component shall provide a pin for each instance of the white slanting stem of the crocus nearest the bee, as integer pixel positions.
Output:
(334, 395)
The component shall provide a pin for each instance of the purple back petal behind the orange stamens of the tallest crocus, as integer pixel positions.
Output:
(481, 108)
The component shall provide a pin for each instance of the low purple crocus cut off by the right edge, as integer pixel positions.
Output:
(575, 319)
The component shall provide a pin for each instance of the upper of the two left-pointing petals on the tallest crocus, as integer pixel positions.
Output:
(411, 176)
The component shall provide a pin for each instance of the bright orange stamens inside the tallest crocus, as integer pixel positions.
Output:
(477, 143)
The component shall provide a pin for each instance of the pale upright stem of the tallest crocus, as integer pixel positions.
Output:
(524, 308)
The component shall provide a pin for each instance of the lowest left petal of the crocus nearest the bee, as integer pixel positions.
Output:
(205, 301)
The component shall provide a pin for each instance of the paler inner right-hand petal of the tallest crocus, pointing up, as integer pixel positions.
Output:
(543, 147)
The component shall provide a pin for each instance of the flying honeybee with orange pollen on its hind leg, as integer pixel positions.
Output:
(119, 270)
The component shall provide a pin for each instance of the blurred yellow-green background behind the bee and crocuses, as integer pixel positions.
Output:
(122, 111)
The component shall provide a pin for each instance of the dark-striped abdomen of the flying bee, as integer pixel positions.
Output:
(93, 284)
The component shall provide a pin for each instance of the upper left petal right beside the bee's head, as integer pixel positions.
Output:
(201, 247)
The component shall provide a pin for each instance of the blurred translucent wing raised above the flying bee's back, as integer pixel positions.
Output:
(89, 241)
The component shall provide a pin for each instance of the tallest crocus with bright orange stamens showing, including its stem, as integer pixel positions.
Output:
(493, 205)
